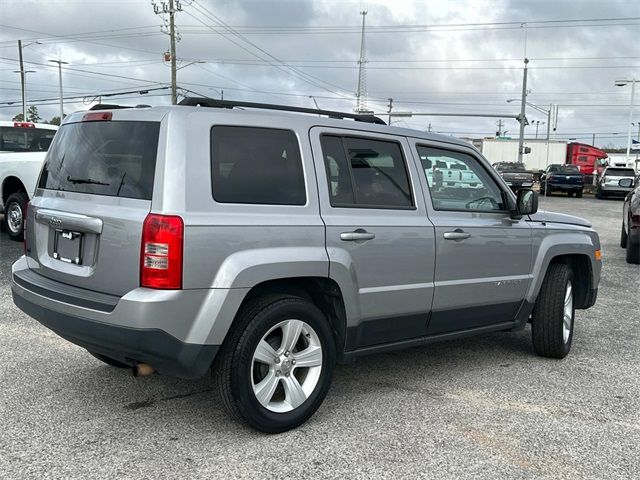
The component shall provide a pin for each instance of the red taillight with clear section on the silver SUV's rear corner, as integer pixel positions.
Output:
(161, 252)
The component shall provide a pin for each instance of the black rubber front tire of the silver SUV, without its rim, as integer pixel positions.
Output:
(548, 315)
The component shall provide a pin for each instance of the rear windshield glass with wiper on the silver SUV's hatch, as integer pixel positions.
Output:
(116, 159)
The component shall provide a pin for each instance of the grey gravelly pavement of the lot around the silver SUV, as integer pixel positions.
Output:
(485, 407)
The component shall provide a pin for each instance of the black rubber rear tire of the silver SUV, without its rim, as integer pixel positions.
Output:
(233, 372)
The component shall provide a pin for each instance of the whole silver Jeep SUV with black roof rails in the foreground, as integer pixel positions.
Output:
(267, 245)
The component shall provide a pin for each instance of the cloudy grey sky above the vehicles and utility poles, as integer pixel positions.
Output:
(430, 56)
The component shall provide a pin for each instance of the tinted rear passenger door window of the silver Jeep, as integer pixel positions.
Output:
(367, 173)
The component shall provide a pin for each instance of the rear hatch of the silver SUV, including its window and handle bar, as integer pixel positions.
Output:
(85, 223)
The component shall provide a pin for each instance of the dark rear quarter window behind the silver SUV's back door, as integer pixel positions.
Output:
(256, 165)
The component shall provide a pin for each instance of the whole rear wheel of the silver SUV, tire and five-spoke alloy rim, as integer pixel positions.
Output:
(276, 365)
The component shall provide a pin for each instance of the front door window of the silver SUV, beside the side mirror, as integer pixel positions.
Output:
(458, 182)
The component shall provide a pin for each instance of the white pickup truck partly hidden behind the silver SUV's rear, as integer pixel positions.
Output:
(23, 147)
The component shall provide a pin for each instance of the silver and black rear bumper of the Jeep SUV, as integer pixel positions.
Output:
(177, 332)
